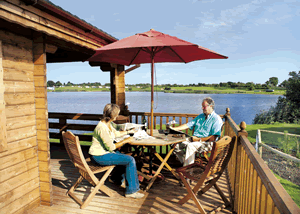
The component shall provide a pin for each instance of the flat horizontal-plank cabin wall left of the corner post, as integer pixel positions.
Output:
(19, 173)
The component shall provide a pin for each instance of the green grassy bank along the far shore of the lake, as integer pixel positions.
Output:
(194, 90)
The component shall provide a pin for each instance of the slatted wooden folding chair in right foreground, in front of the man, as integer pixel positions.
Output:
(206, 173)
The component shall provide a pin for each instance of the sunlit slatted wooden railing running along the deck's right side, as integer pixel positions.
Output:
(254, 188)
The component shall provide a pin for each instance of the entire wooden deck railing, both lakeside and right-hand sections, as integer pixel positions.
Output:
(253, 187)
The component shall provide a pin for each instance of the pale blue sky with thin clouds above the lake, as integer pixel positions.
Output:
(260, 37)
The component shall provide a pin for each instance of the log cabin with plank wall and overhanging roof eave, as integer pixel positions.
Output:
(31, 34)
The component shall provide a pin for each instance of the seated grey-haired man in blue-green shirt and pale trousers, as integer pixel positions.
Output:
(207, 126)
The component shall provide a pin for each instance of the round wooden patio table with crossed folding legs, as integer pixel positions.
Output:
(159, 140)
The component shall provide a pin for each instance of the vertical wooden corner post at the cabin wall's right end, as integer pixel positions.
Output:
(41, 113)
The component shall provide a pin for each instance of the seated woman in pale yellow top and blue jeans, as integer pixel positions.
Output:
(102, 152)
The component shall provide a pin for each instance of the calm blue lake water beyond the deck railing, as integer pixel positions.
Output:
(243, 107)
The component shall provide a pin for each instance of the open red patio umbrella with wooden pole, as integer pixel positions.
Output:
(149, 47)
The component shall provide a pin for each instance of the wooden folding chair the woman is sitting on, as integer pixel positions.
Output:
(86, 168)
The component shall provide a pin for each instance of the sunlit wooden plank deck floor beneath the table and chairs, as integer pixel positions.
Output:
(161, 198)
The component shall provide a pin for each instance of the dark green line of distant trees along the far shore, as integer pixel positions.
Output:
(271, 83)
